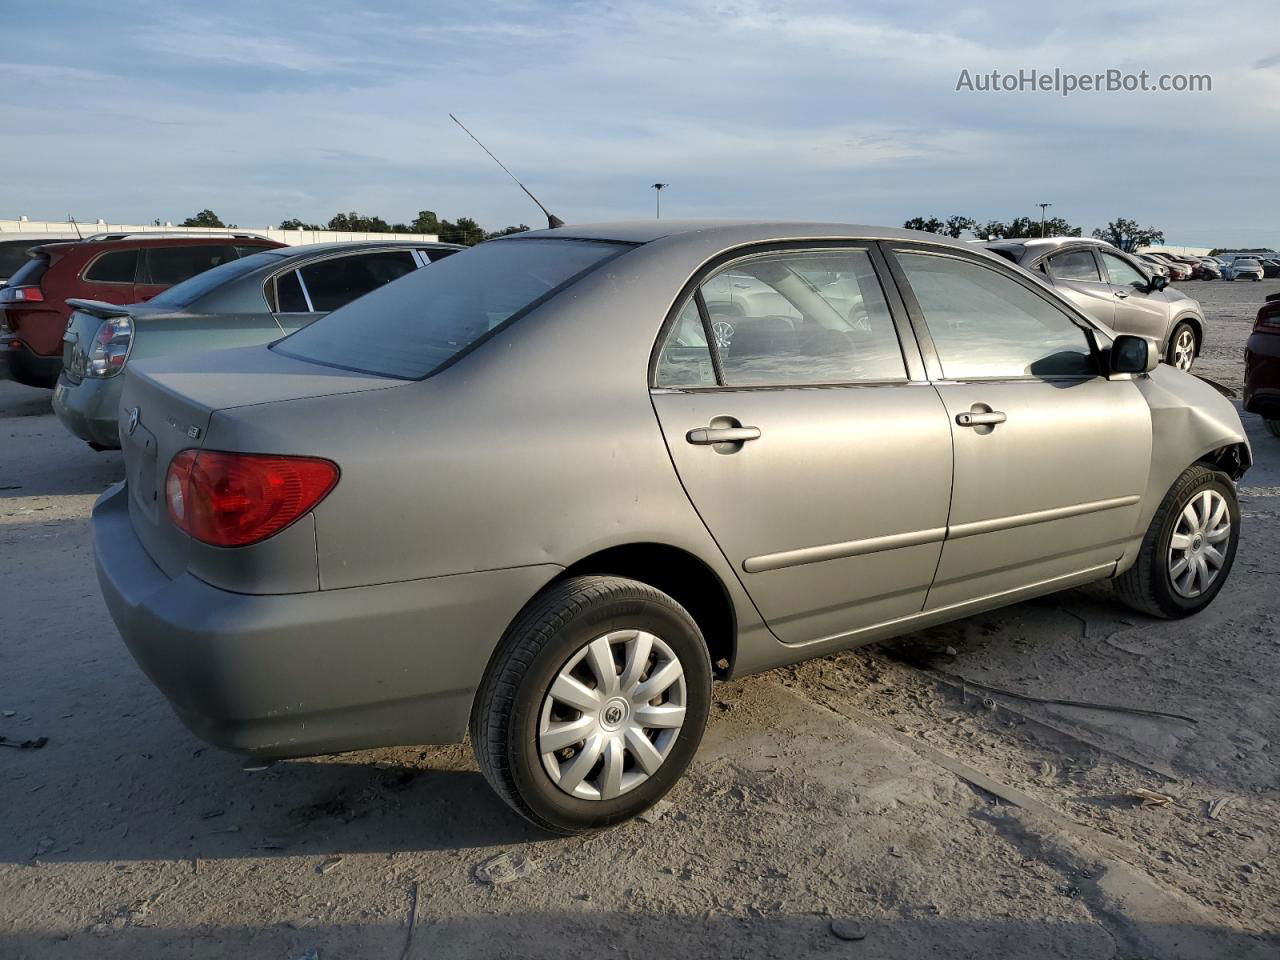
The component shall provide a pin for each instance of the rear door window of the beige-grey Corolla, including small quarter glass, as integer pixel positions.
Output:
(796, 319)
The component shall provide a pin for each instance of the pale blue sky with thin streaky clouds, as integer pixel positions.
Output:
(821, 111)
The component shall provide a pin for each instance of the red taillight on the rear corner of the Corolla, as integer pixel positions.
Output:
(234, 500)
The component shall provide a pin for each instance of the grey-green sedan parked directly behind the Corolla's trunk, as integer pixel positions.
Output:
(253, 300)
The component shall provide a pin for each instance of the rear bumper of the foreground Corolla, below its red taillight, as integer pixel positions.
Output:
(298, 675)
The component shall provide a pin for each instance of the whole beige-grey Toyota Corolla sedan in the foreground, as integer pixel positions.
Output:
(550, 490)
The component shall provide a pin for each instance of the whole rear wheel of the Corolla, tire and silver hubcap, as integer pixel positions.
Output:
(593, 706)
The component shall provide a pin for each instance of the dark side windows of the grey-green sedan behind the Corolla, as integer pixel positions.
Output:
(308, 292)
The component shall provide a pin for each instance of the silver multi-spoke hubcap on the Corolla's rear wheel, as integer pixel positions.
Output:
(612, 715)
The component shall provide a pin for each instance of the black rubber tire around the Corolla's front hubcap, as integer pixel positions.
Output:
(1148, 586)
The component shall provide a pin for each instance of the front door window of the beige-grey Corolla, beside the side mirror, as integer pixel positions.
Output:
(989, 326)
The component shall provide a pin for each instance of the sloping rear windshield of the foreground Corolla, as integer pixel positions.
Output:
(412, 328)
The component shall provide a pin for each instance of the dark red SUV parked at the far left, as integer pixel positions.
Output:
(34, 310)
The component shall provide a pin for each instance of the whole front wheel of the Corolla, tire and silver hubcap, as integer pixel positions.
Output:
(1190, 547)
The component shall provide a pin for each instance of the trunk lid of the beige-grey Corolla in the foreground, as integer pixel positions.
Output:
(167, 405)
